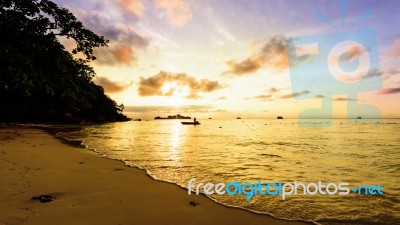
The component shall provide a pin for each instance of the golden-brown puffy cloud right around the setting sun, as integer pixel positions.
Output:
(157, 85)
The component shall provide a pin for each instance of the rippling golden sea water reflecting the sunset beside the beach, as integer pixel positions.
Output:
(360, 153)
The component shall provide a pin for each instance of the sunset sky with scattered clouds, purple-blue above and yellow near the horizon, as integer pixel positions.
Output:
(253, 59)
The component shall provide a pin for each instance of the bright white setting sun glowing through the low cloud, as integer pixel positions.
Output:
(175, 93)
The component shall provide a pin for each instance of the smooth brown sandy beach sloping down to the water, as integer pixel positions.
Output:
(89, 189)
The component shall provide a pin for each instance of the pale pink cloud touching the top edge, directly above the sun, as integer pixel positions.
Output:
(177, 11)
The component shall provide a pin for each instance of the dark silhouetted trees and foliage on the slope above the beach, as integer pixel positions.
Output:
(39, 80)
